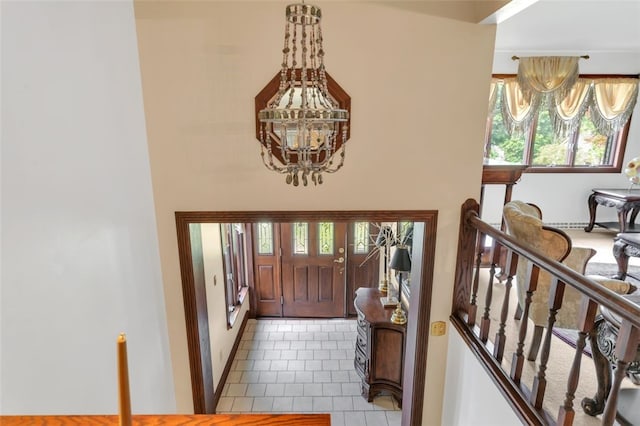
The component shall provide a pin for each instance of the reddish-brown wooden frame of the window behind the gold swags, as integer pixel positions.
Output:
(529, 135)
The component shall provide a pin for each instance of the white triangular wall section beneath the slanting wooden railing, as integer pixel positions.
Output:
(470, 397)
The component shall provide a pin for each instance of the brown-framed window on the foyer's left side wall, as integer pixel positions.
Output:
(233, 241)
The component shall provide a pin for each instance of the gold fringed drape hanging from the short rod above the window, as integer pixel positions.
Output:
(547, 74)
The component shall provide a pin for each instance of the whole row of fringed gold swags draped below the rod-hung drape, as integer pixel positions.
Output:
(609, 100)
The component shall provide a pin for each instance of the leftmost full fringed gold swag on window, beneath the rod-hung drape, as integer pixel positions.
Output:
(517, 111)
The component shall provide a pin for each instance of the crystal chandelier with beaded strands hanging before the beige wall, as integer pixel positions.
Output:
(303, 130)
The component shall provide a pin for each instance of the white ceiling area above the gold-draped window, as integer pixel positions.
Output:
(572, 27)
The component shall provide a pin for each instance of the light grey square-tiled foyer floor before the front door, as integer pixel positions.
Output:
(302, 366)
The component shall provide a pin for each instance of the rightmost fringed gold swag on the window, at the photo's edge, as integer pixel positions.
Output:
(613, 103)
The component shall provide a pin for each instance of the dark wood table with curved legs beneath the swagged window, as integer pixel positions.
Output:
(625, 201)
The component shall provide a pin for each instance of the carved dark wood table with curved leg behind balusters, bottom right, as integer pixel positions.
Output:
(603, 341)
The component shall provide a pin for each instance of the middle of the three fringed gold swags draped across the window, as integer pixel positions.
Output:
(566, 113)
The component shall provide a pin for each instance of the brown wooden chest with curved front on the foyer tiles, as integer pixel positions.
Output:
(379, 355)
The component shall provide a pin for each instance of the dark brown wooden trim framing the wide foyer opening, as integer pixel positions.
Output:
(196, 310)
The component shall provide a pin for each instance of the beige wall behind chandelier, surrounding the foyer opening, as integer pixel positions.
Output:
(419, 87)
